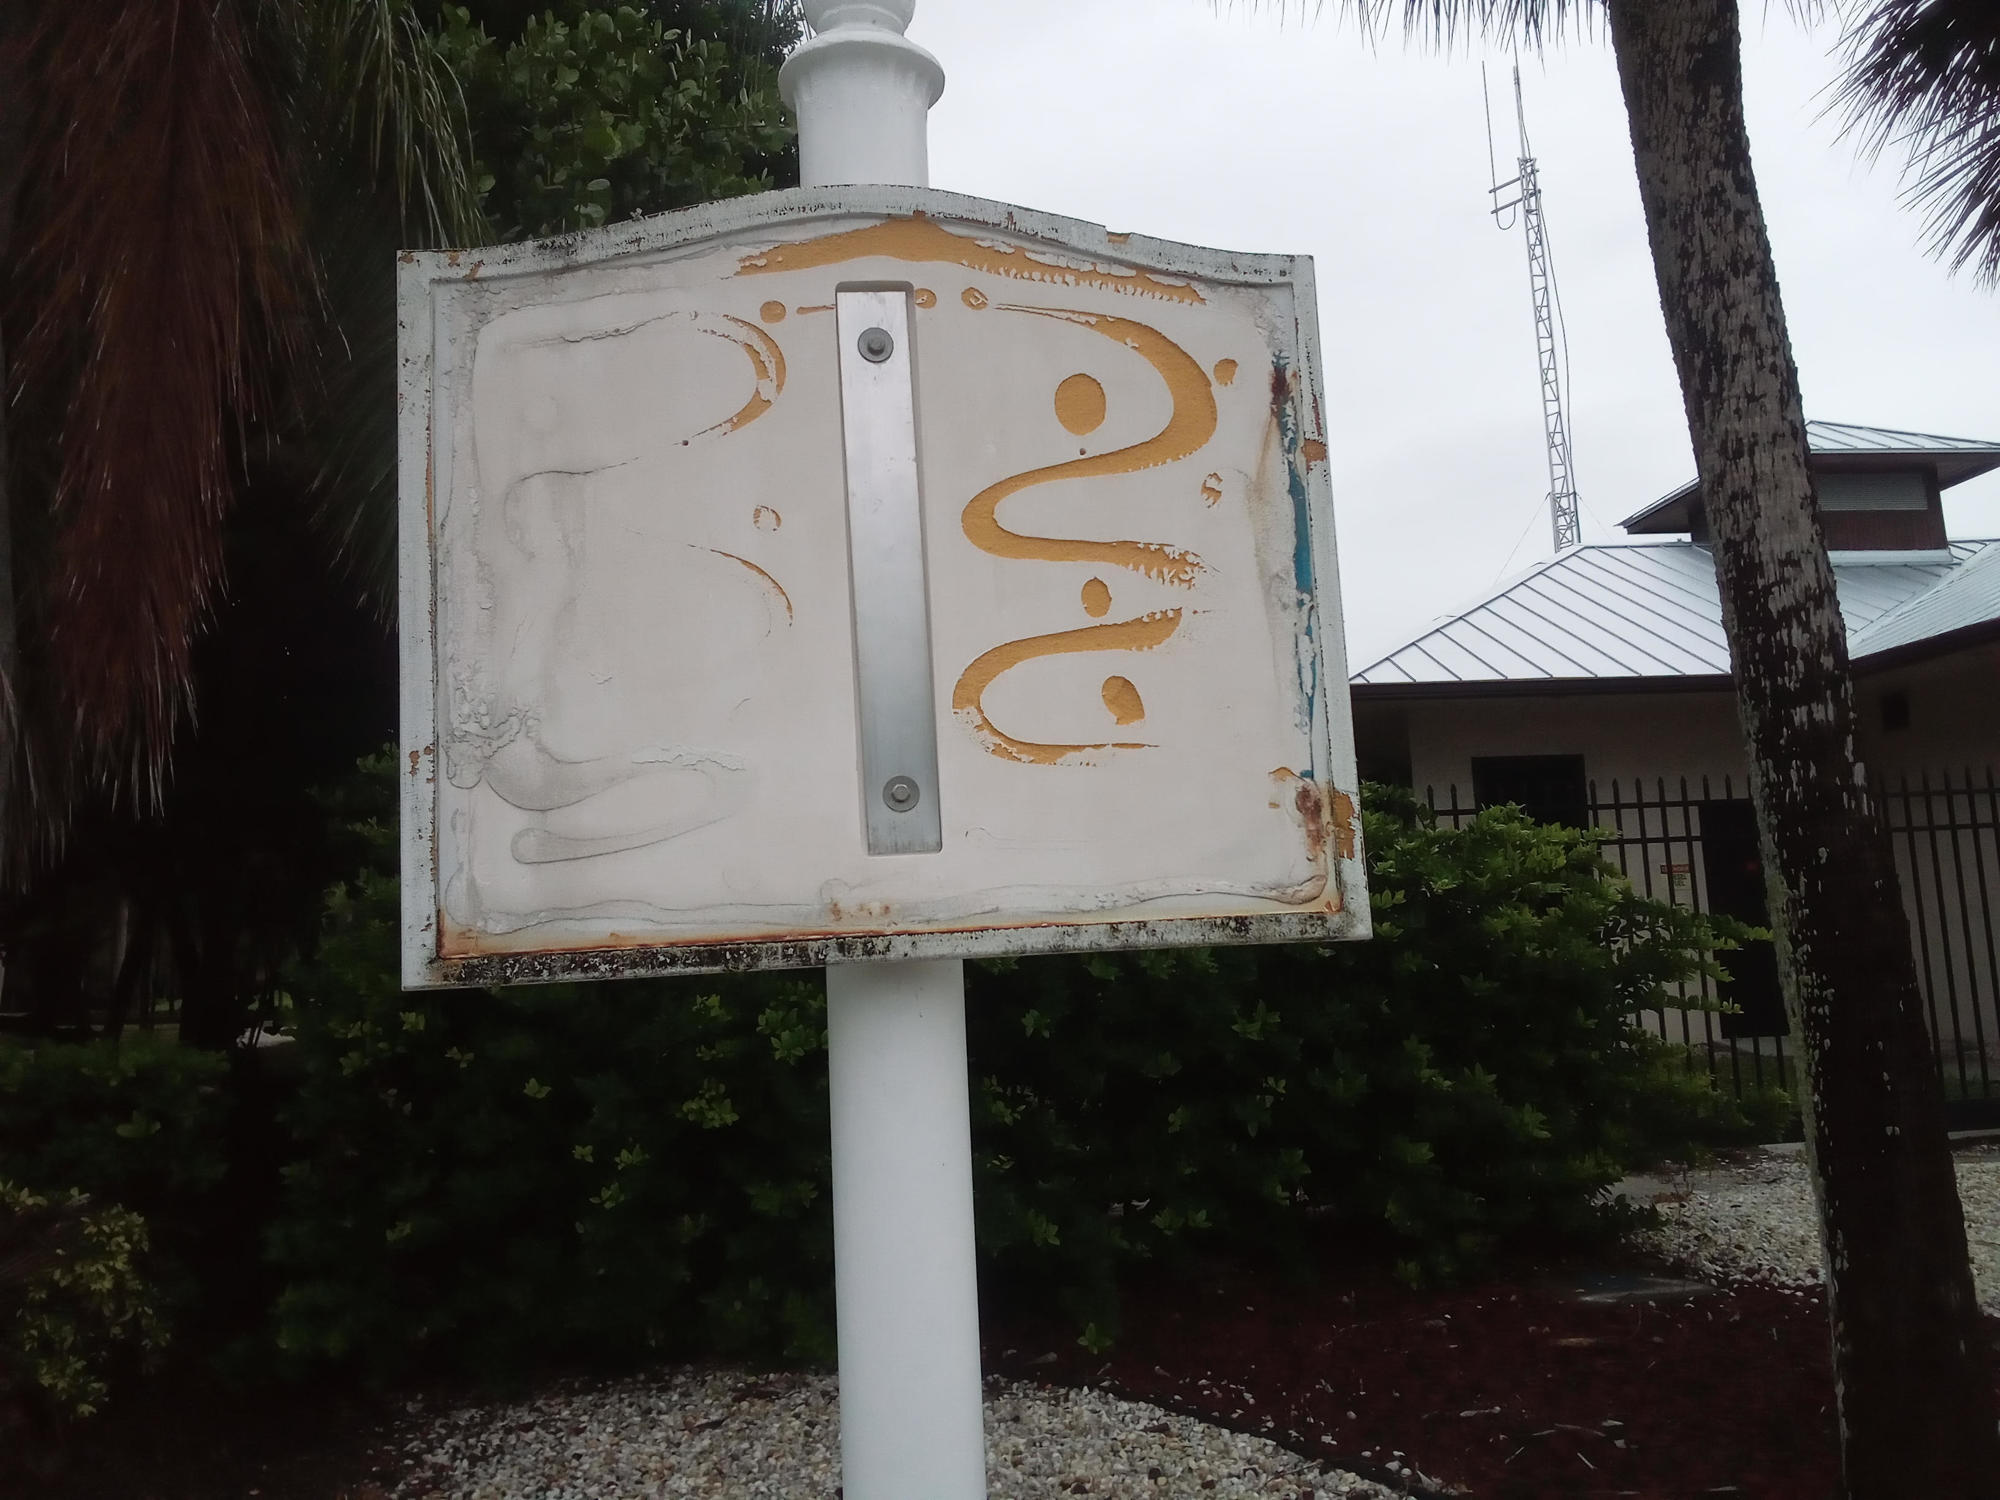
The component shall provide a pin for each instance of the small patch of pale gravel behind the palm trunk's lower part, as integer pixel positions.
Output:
(1755, 1221)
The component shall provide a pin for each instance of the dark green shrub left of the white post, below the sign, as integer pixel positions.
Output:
(609, 1171)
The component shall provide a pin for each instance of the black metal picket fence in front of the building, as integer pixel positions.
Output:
(1679, 841)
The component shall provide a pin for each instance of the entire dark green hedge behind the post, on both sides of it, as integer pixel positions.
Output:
(643, 1167)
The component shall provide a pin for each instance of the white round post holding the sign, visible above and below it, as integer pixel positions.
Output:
(905, 1273)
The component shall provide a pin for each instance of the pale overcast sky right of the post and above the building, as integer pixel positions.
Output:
(1261, 133)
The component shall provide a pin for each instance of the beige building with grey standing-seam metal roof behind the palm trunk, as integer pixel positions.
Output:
(1595, 689)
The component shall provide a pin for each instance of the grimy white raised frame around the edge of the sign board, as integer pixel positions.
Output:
(793, 215)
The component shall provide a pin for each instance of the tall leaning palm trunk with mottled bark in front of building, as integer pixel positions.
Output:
(1915, 1397)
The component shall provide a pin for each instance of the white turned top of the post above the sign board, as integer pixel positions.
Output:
(861, 91)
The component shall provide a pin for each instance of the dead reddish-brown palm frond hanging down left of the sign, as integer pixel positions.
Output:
(163, 269)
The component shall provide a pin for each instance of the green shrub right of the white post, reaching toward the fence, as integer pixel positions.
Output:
(1467, 1081)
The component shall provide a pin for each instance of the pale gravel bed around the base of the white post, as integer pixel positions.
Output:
(725, 1433)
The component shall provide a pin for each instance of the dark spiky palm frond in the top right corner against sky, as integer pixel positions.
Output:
(1925, 75)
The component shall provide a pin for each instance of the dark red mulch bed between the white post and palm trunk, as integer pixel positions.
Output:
(1509, 1389)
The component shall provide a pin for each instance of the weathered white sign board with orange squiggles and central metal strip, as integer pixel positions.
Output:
(865, 573)
